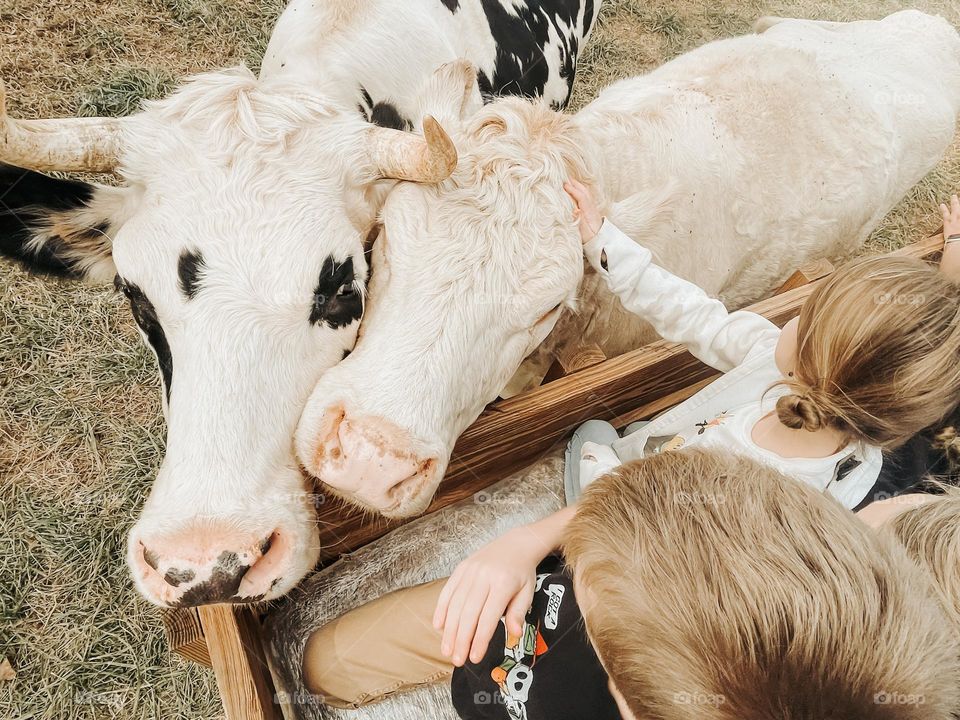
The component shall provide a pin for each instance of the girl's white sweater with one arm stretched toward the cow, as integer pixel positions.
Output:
(742, 345)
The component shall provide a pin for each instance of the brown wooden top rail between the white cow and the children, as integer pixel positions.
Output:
(512, 433)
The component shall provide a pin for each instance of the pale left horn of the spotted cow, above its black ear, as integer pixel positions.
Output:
(66, 144)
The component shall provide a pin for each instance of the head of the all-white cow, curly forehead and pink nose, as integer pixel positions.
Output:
(468, 278)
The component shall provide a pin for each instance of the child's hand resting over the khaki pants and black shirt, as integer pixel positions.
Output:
(496, 581)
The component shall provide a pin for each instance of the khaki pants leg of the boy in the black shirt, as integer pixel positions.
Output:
(386, 646)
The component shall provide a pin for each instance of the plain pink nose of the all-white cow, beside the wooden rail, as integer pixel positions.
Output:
(369, 460)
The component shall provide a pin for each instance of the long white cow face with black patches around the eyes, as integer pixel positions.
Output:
(243, 261)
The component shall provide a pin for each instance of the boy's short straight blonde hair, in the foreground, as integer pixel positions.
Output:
(715, 588)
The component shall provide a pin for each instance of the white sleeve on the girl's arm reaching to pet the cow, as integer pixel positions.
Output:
(678, 310)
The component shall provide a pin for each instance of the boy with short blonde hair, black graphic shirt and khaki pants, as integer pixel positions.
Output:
(710, 586)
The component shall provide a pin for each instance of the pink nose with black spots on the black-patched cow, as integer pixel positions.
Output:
(201, 566)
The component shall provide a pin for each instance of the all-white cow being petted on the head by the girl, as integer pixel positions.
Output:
(734, 164)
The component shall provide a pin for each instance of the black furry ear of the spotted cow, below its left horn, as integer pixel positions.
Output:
(61, 227)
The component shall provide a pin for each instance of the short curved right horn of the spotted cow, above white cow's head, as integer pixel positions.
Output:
(404, 156)
